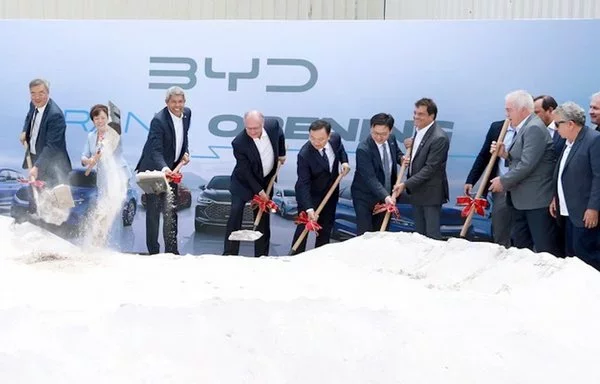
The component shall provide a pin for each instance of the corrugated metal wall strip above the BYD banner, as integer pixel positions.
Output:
(298, 9)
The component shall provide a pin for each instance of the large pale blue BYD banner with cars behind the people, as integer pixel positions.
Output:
(345, 71)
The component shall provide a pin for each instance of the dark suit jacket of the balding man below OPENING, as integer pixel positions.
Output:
(247, 178)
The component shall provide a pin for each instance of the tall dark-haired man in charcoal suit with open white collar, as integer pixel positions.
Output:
(427, 182)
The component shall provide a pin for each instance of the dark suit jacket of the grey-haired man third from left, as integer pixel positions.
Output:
(159, 150)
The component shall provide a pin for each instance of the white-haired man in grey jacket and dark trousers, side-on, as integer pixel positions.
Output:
(528, 182)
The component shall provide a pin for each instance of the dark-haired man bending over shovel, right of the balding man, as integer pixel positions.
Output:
(318, 167)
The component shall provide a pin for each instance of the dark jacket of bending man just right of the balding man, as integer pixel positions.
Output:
(314, 176)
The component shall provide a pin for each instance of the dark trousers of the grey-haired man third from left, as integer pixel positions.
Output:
(155, 205)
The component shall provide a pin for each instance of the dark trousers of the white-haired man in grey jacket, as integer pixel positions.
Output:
(535, 229)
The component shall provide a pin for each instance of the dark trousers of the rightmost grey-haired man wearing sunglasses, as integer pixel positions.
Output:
(582, 242)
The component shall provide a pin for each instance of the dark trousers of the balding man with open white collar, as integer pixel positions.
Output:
(234, 223)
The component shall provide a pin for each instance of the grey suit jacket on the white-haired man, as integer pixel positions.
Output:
(531, 161)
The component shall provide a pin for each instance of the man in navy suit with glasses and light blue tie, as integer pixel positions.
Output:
(376, 172)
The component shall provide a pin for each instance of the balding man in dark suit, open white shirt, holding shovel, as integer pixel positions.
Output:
(256, 149)
